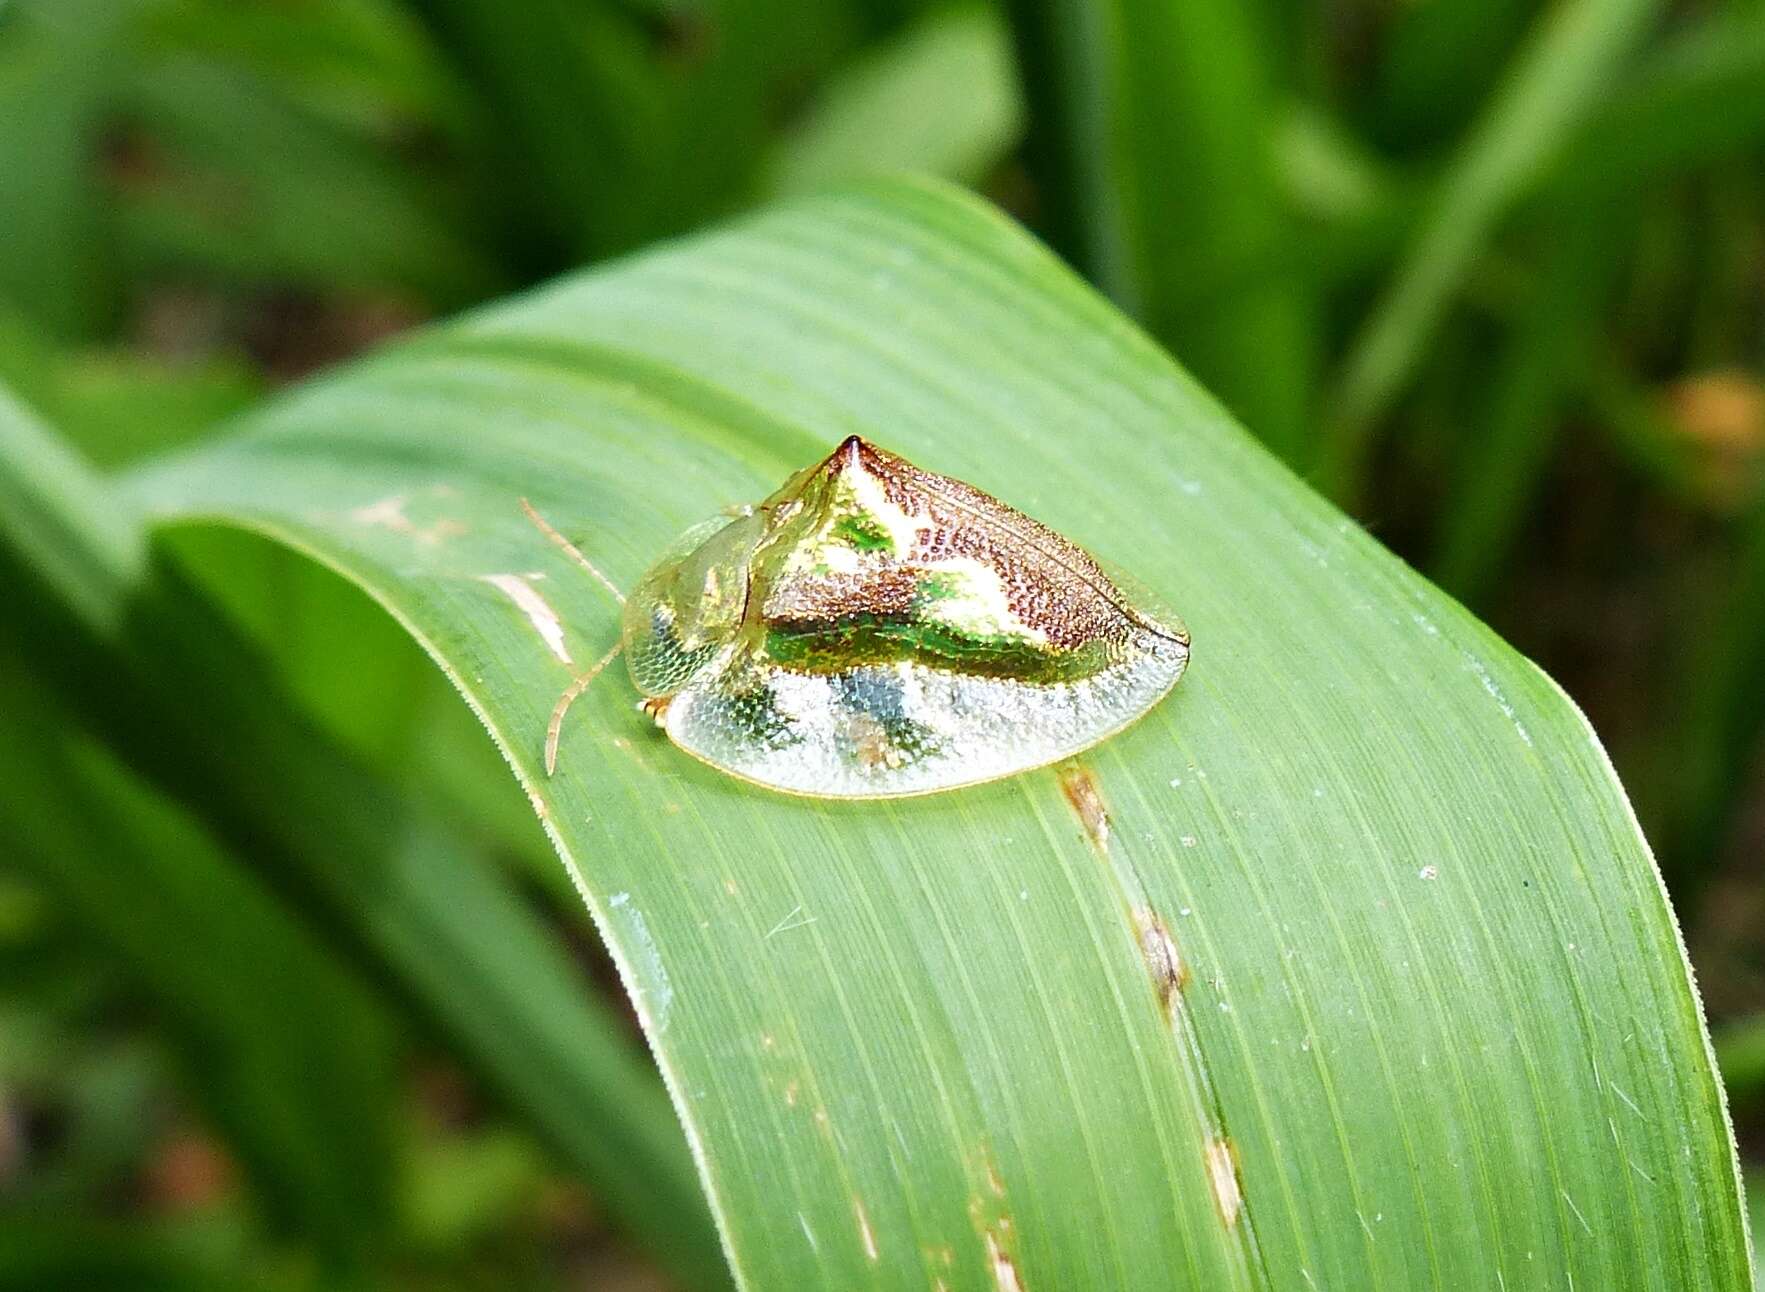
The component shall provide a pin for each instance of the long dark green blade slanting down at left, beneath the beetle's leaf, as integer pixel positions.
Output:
(135, 656)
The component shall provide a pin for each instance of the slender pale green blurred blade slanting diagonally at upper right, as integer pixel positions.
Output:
(1552, 87)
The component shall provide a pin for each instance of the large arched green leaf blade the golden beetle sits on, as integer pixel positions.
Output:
(1436, 1002)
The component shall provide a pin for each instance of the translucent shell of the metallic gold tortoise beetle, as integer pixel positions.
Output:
(875, 629)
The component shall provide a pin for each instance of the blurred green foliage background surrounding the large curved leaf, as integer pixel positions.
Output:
(1491, 273)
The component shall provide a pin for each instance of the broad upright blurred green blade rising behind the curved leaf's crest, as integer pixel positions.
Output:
(1152, 131)
